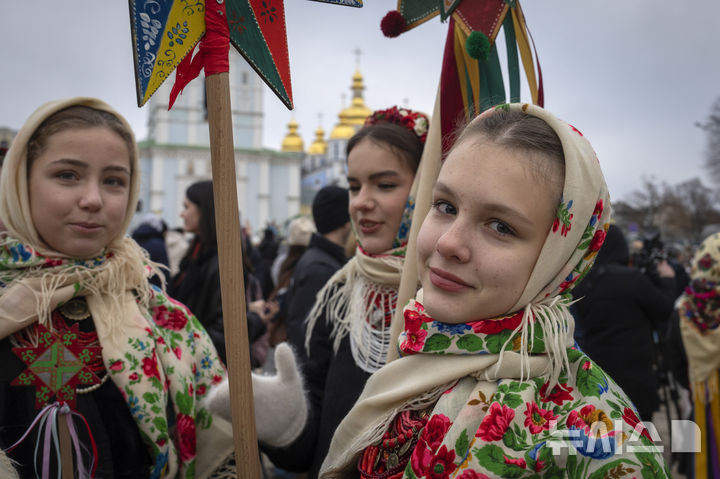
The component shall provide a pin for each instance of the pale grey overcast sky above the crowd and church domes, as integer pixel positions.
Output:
(634, 76)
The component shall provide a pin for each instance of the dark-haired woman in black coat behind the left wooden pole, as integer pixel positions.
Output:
(197, 284)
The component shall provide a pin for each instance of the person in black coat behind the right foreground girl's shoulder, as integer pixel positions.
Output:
(618, 310)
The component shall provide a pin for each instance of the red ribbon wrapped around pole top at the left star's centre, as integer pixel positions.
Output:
(212, 53)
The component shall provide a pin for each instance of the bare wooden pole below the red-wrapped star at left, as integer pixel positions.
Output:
(232, 284)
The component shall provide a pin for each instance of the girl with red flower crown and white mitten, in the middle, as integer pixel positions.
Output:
(348, 329)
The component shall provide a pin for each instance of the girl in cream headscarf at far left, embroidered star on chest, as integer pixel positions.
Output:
(86, 341)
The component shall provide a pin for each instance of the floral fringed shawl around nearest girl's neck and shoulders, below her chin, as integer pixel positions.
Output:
(501, 416)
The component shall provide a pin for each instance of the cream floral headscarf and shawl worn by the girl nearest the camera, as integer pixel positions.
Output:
(510, 396)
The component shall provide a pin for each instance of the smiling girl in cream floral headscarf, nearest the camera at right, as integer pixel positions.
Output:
(489, 384)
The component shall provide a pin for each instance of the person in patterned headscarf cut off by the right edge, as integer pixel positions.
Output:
(699, 312)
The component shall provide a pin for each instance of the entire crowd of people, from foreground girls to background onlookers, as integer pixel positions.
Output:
(534, 345)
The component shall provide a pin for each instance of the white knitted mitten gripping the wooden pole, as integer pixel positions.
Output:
(281, 408)
